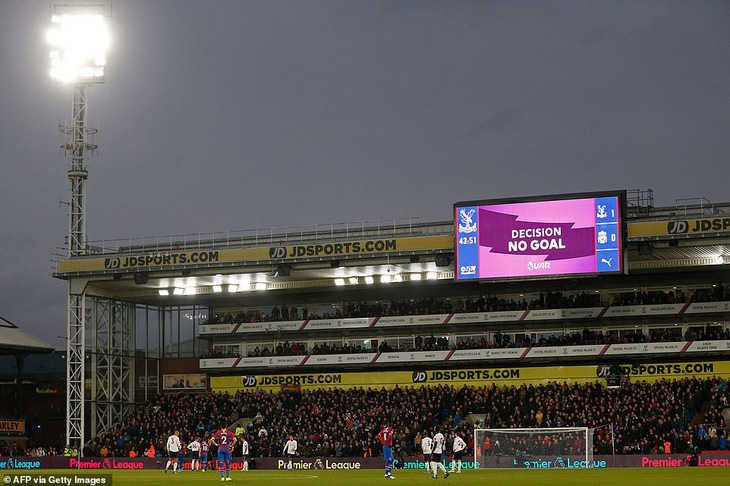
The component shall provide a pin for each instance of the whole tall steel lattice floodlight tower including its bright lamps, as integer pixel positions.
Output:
(79, 40)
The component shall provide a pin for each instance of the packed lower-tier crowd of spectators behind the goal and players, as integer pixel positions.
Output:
(335, 422)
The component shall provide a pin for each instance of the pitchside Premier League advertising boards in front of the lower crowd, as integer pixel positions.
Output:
(717, 459)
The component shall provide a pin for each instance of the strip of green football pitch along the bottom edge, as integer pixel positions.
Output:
(598, 477)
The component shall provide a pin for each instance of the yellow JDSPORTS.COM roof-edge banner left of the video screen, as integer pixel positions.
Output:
(259, 254)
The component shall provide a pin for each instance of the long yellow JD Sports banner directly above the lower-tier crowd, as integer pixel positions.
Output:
(506, 376)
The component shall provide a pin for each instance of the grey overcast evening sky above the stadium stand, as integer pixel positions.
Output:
(227, 115)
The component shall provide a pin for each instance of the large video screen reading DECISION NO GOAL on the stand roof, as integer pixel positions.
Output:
(535, 238)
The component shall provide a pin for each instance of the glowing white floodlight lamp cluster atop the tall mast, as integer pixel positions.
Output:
(79, 40)
